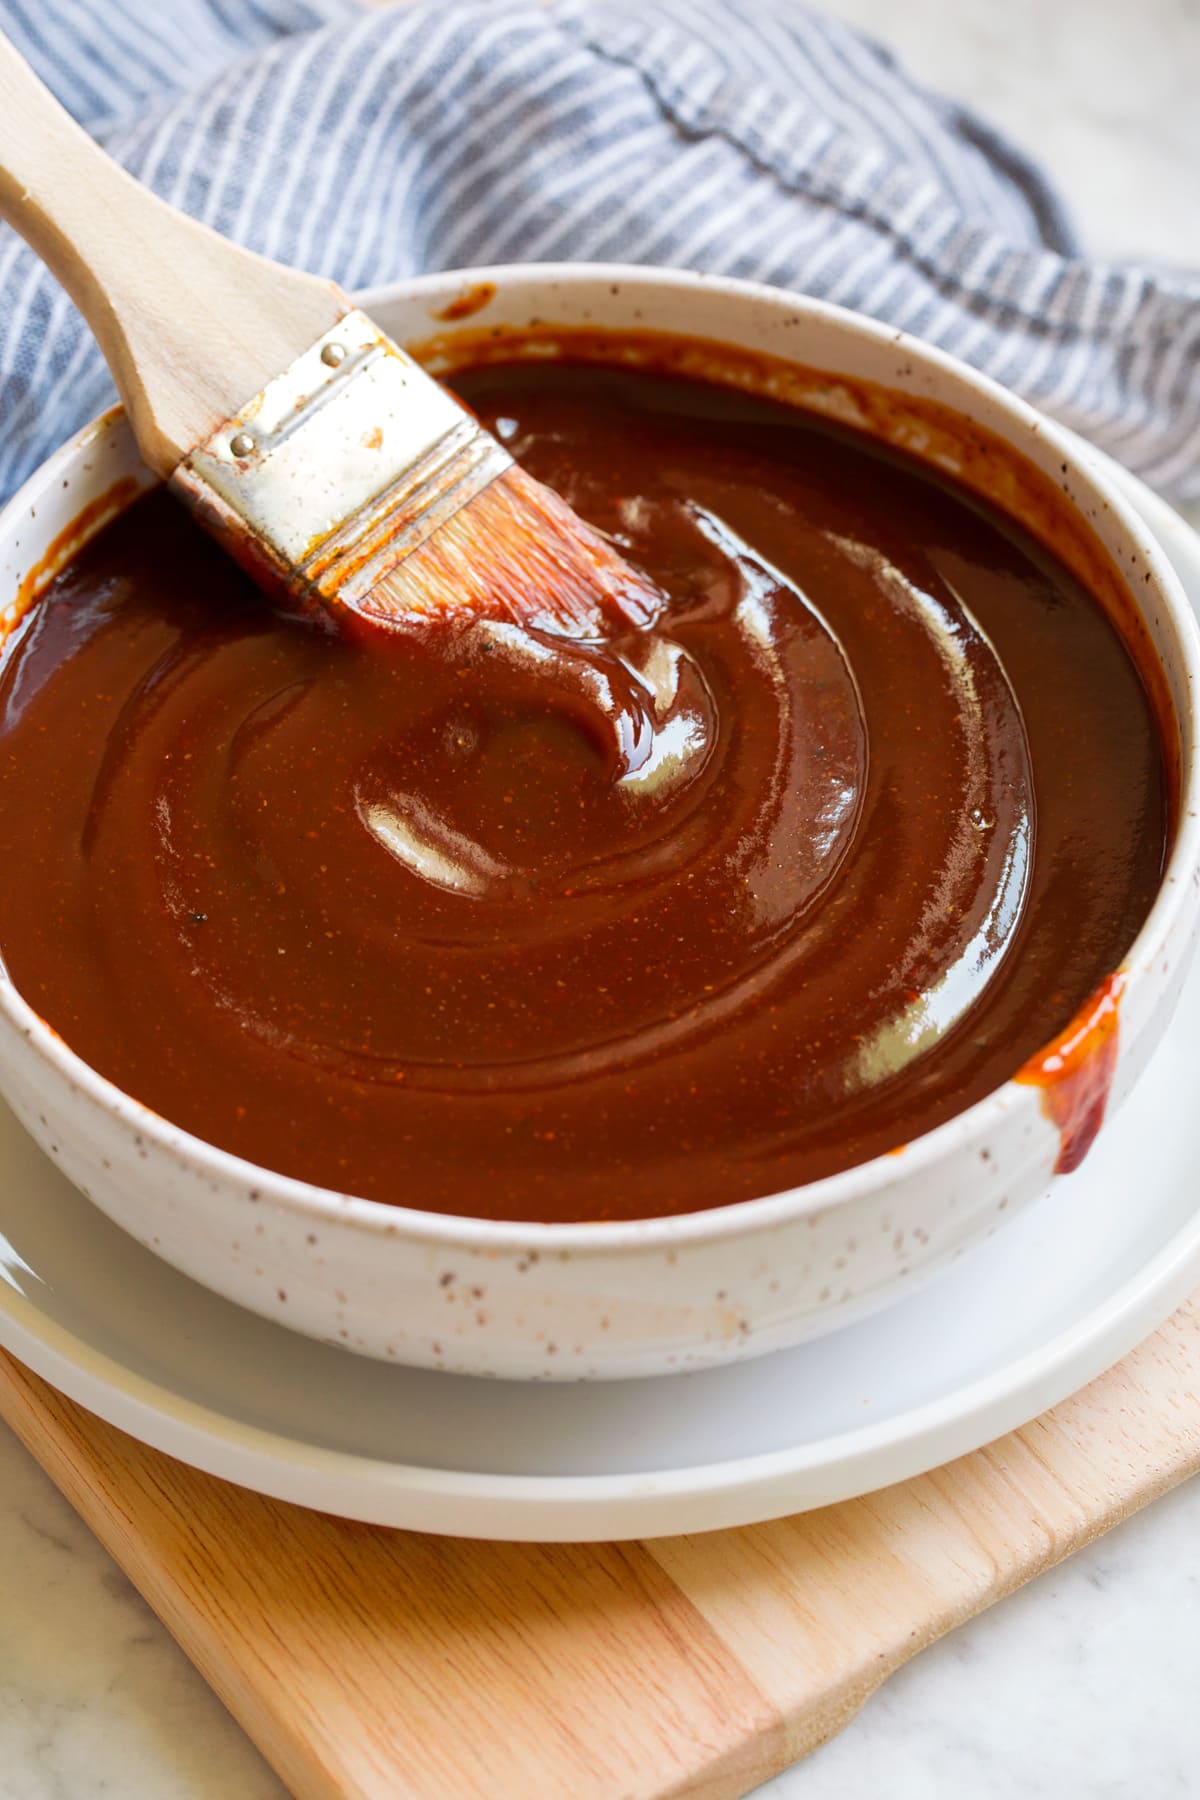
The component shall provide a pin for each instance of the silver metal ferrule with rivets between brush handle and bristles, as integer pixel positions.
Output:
(339, 469)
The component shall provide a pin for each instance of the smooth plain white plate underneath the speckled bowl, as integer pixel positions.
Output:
(1053, 1300)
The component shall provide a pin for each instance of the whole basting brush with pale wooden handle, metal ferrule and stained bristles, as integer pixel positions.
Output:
(296, 431)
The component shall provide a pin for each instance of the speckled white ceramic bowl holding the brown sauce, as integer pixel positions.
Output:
(607, 1300)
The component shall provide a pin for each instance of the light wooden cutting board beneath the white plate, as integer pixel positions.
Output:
(386, 1666)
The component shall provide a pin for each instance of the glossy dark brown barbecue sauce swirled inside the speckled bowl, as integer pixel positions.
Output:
(497, 924)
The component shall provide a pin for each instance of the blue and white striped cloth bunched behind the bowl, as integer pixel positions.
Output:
(746, 138)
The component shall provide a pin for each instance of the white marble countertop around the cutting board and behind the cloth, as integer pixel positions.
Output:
(1084, 1686)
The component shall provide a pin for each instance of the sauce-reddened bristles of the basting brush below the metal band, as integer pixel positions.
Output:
(517, 552)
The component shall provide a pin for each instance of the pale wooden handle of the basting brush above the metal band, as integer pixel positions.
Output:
(192, 327)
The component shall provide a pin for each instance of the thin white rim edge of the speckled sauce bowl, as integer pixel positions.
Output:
(670, 1232)
